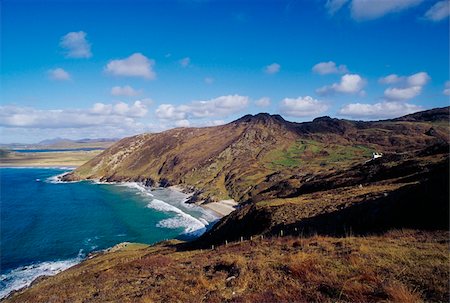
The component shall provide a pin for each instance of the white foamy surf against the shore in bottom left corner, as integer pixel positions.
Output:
(25, 275)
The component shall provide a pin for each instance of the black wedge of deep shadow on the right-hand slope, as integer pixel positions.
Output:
(419, 206)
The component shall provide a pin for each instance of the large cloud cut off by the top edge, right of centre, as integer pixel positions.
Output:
(373, 9)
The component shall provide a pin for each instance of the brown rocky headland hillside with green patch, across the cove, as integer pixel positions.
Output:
(256, 155)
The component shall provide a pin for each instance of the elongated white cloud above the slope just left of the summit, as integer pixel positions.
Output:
(218, 107)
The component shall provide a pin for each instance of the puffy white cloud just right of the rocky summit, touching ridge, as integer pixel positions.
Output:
(302, 107)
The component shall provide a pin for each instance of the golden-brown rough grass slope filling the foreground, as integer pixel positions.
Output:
(401, 266)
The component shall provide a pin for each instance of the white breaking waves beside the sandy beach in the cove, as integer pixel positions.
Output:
(191, 225)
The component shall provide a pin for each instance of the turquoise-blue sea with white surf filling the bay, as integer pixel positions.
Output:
(47, 226)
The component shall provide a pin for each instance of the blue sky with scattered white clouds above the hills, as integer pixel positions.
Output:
(109, 69)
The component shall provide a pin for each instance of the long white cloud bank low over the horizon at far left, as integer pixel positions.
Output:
(100, 114)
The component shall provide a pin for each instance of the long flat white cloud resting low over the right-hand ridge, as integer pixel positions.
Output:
(382, 110)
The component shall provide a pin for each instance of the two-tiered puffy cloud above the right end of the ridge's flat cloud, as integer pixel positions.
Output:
(407, 87)
